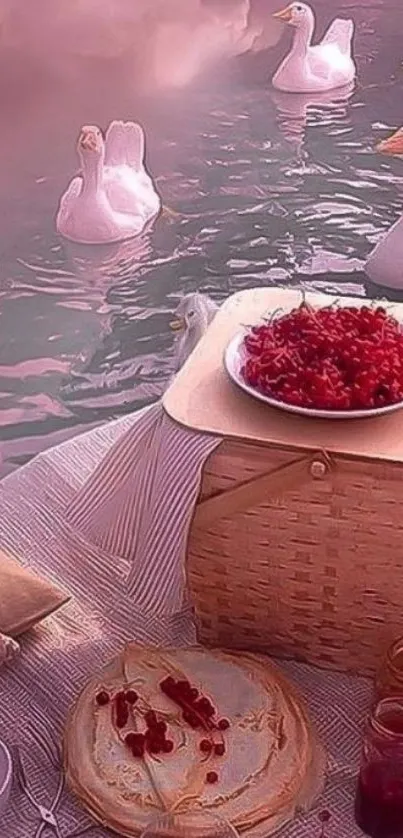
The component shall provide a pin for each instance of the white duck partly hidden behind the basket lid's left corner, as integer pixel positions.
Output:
(192, 317)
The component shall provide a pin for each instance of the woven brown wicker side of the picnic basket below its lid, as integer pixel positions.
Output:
(312, 570)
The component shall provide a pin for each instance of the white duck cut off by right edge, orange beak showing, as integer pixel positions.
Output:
(384, 265)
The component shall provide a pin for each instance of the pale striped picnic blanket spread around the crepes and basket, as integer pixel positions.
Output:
(106, 515)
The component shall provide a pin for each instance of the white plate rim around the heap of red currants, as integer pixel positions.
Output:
(234, 359)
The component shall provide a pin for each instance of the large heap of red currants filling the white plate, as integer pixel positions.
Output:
(333, 358)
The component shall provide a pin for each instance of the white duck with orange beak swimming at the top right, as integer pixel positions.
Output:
(307, 68)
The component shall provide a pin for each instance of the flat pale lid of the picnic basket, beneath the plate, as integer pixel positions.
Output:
(203, 398)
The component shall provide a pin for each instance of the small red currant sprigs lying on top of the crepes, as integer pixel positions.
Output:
(197, 711)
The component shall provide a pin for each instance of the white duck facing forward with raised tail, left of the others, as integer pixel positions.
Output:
(113, 198)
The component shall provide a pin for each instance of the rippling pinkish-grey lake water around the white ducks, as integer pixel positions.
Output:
(269, 190)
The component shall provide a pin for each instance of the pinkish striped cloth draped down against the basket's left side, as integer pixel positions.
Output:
(126, 507)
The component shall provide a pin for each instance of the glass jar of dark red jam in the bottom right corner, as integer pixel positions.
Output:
(379, 797)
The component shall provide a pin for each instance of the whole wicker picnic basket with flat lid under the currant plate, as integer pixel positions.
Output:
(296, 547)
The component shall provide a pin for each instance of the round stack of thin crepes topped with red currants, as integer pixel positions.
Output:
(192, 731)
